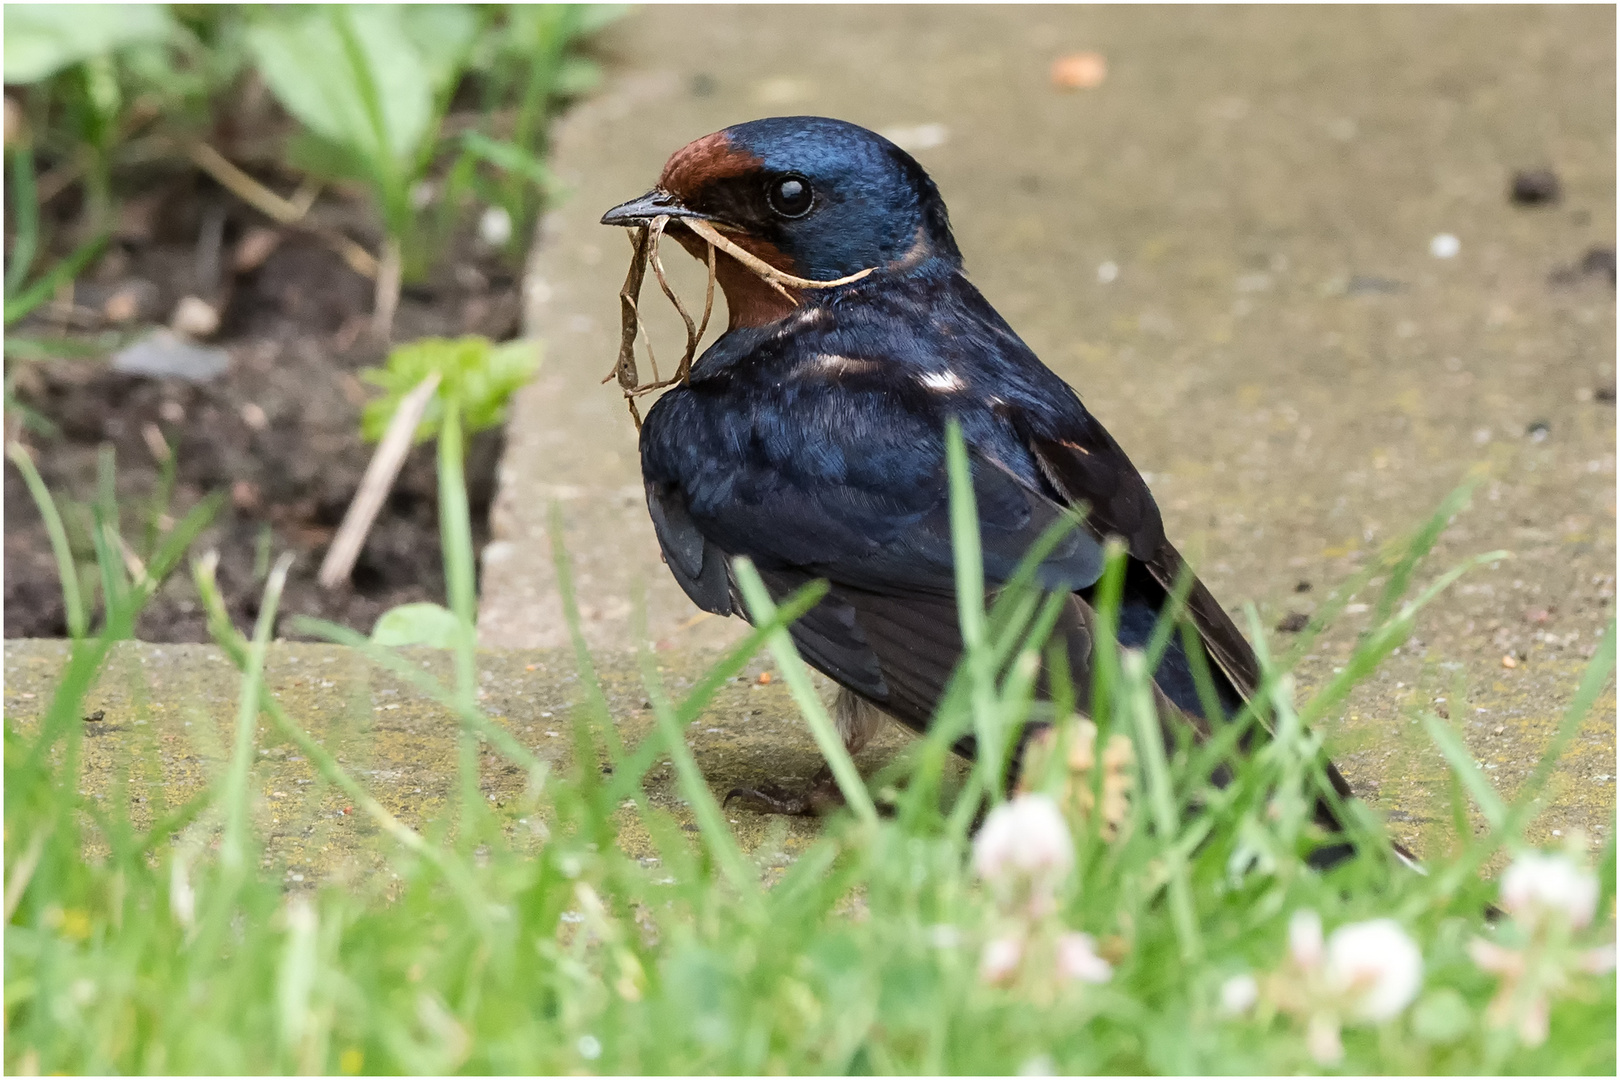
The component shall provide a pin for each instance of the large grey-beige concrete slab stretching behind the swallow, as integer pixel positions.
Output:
(1276, 344)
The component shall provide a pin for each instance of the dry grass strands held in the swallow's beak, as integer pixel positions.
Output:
(646, 252)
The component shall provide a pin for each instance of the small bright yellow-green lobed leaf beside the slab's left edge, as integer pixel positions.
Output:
(472, 370)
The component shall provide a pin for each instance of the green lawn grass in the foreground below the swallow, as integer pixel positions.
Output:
(518, 937)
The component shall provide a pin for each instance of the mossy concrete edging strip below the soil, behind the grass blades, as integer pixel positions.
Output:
(169, 723)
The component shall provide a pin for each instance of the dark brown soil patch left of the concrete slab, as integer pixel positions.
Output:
(278, 432)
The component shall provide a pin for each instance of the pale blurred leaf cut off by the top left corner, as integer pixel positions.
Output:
(45, 38)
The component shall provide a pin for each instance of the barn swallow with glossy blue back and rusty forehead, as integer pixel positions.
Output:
(811, 436)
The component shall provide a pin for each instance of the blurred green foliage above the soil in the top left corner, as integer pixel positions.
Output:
(96, 88)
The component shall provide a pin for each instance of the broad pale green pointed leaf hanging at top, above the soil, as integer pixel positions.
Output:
(330, 88)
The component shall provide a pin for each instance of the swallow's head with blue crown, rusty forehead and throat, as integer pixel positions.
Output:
(816, 198)
